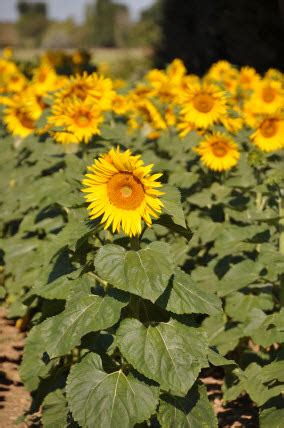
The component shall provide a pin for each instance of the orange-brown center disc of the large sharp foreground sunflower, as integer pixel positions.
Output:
(125, 191)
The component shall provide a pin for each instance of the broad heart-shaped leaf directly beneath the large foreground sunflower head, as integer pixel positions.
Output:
(145, 272)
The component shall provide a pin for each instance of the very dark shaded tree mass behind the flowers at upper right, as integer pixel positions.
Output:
(203, 31)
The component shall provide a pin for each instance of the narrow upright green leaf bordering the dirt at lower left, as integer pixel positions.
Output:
(33, 366)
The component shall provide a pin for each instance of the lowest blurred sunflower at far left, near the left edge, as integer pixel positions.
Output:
(17, 118)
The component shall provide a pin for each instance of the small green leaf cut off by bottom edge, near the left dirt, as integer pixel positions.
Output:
(54, 410)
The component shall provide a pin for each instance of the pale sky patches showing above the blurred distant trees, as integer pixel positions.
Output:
(61, 9)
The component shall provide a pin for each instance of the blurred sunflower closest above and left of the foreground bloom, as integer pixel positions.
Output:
(79, 119)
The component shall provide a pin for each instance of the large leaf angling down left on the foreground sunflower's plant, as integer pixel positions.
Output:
(84, 313)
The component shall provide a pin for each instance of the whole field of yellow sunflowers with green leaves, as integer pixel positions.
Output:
(142, 241)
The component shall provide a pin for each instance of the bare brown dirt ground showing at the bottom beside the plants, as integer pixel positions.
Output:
(14, 400)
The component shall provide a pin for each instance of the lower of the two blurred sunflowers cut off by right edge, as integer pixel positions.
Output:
(269, 135)
